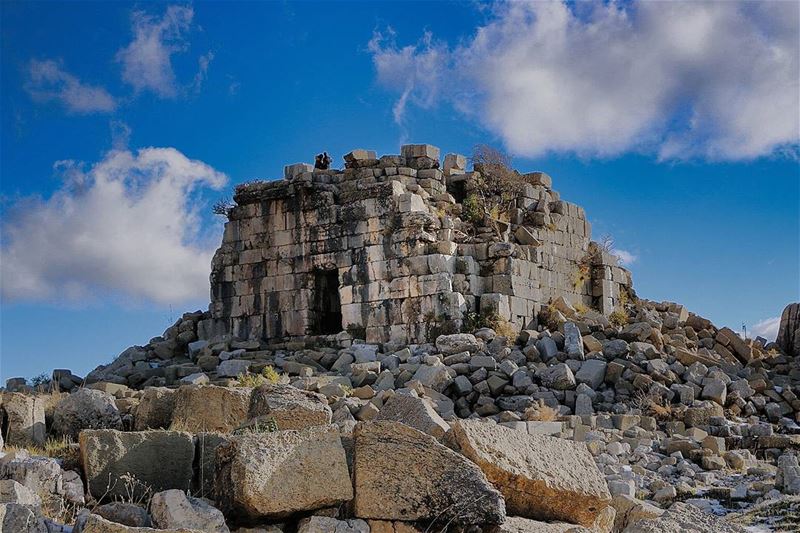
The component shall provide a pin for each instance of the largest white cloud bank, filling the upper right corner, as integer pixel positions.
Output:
(719, 80)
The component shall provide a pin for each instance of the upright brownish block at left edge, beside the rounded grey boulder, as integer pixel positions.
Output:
(25, 419)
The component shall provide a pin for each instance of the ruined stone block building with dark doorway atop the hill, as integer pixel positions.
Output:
(381, 251)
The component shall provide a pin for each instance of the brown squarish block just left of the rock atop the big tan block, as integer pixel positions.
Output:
(210, 408)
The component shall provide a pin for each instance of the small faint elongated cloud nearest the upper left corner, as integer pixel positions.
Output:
(47, 80)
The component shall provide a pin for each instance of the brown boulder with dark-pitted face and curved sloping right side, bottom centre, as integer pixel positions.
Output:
(404, 474)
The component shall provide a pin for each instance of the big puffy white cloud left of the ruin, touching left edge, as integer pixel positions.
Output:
(129, 226)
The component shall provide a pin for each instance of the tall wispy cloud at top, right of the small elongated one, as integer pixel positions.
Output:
(147, 60)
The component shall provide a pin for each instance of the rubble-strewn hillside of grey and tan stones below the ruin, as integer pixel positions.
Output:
(658, 421)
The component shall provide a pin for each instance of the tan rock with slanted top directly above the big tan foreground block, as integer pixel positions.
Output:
(291, 408)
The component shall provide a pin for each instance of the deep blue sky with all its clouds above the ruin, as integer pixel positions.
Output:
(675, 124)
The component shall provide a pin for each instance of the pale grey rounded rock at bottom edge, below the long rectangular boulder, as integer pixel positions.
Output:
(173, 508)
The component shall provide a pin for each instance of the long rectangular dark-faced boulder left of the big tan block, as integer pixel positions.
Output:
(156, 459)
